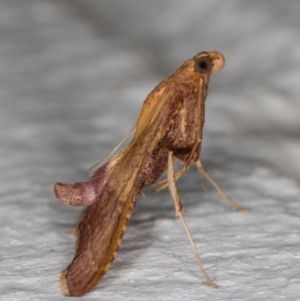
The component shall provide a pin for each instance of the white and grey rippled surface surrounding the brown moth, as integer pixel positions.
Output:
(73, 76)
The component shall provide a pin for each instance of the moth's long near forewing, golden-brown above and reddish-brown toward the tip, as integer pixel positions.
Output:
(102, 227)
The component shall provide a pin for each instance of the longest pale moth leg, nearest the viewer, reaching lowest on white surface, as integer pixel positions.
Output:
(178, 211)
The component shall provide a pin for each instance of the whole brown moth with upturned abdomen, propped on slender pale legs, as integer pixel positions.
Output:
(169, 126)
